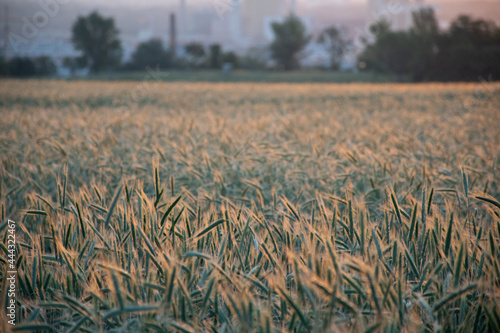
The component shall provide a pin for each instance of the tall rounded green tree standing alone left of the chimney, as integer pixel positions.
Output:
(97, 38)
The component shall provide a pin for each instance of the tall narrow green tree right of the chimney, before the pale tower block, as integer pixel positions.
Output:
(289, 40)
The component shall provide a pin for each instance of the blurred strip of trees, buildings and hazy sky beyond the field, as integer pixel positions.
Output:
(252, 40)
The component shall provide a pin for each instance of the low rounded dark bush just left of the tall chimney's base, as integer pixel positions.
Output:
(150, 53)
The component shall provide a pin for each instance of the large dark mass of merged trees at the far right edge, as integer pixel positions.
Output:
(467, 51)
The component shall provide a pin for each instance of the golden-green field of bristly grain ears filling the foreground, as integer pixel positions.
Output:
(197, 207)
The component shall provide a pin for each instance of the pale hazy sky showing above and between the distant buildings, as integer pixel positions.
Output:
(148, 17)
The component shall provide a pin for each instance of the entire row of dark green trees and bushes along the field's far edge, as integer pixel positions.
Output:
(469, 49)
